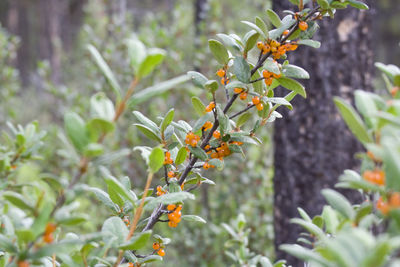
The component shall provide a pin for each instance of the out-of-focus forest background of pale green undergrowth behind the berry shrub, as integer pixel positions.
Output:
(45, 71)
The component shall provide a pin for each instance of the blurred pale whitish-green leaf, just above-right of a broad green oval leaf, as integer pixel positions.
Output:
(101, 107)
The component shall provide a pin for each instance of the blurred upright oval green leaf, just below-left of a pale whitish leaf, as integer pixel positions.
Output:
(76, 131)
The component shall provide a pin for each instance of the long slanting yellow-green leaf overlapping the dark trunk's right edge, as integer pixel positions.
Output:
(353, 121)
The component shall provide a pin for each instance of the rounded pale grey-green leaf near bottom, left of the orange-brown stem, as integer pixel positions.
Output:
(114, 228)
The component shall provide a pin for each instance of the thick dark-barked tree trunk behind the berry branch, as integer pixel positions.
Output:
(312, 144)
